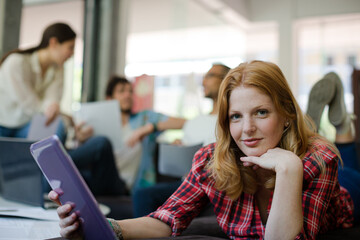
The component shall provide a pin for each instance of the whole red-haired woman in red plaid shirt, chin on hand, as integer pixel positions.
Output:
(267, 176)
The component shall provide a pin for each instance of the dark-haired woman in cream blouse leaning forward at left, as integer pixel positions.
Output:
(31, 80)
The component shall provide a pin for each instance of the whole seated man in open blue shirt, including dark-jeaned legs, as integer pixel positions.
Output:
(114, 172)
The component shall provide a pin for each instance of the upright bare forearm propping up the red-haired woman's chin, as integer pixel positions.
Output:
(285, 219)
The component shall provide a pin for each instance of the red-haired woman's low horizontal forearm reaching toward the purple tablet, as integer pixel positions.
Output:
(144, 227)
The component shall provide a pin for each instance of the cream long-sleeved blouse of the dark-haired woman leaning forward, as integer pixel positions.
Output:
(23, 89)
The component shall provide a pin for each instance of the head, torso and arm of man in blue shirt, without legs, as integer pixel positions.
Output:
(134, 160)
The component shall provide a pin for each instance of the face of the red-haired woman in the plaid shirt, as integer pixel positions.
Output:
(255, 124)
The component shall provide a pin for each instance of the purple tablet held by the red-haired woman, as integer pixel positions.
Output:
(61, 173)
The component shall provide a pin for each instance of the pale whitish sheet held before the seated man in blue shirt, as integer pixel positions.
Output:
(104, 118)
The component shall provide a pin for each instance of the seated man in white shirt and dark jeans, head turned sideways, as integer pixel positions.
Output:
(198, 130)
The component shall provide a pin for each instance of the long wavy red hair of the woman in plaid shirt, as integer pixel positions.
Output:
(225, 166)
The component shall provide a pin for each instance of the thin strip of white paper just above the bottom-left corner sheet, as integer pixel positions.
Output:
(30, 212)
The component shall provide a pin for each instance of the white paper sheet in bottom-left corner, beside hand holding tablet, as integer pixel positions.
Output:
(21, 229)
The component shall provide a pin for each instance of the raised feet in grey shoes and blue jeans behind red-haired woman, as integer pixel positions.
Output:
(330, 91)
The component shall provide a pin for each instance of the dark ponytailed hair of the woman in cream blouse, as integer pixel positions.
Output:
(61, 31)
